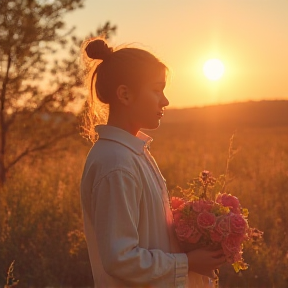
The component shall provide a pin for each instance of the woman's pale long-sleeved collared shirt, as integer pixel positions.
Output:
(127, 218)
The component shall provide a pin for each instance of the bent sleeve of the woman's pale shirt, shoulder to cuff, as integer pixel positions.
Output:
(116, 200)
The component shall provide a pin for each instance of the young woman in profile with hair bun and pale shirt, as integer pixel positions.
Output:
(127, 218)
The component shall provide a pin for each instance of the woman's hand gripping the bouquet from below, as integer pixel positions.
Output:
(204, 261)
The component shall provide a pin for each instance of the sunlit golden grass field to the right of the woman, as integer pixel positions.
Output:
(260, 180)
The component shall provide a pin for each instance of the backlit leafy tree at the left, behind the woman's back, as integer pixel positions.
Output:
(33, 82)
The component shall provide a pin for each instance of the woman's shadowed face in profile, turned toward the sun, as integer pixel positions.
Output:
(147, 107)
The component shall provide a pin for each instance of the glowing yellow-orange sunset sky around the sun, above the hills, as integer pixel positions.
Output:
(250, 37)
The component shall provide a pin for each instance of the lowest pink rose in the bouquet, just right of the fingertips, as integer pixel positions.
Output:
(232, 248)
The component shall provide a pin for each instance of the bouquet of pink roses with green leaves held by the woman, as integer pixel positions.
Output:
(200, 221)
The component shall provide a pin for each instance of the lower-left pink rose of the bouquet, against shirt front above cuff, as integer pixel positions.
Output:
(187, 232)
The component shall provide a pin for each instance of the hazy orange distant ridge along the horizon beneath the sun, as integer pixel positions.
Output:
(262, 113)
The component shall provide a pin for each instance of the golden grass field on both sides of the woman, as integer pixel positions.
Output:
(40, 215)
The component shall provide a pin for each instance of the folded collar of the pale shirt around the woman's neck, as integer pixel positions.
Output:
(135, 143)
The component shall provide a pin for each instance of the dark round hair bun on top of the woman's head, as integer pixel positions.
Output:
(98, 49)
